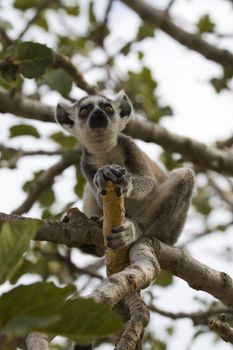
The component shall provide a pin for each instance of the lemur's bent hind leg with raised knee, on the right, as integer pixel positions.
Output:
(165, 214)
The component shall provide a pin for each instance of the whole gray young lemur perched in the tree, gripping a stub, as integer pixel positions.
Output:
(156, 203)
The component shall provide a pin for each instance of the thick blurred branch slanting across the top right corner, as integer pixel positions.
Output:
(161, 20)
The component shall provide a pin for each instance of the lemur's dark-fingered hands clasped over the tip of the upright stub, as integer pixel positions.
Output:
(116, 174)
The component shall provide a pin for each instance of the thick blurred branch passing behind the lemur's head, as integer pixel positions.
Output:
(204, 156)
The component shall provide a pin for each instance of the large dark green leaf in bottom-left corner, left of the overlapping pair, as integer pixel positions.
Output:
(25, 308)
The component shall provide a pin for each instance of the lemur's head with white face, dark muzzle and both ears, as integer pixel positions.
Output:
(96, 120)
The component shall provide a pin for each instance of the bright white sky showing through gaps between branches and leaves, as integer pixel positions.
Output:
(198, 112)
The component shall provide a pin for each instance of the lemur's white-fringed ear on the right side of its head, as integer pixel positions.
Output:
(124, 107)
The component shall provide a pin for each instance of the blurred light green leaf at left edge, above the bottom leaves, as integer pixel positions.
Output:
(14, 241)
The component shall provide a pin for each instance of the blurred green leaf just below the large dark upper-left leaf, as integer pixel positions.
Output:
(58, 80)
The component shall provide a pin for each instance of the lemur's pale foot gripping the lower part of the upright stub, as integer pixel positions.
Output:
(122, 236)
